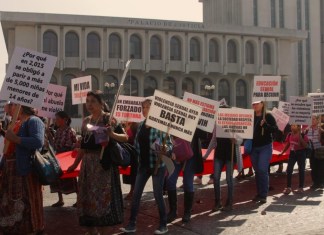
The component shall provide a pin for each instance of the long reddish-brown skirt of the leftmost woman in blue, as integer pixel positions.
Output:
(21, 201)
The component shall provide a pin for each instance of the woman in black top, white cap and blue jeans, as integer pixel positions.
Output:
(261, 154)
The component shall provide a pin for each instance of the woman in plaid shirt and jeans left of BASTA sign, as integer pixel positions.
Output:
(149, 165)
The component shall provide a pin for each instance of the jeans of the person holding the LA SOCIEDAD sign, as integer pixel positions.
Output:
(218, 166)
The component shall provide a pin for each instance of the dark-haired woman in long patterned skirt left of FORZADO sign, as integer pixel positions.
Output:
(99, 200)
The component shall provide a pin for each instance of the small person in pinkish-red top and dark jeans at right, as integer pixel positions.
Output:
(298, 143)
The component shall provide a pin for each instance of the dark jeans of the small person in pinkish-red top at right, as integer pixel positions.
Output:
(298, 156)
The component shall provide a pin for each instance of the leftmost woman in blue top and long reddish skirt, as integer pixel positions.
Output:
(21, 207)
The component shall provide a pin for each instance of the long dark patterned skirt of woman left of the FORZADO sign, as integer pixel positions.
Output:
(100, 201)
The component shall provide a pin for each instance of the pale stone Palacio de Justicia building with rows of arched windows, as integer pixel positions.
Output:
(216, 58)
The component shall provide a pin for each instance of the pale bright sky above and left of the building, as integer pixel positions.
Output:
(187, 10)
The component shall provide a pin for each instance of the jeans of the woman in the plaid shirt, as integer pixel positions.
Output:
(143, 175)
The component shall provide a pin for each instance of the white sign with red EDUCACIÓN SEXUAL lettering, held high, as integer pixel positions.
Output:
(266, 88)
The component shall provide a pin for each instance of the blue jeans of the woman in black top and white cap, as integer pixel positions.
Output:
(260, 158)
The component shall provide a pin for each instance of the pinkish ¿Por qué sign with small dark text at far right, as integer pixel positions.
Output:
(300, 111)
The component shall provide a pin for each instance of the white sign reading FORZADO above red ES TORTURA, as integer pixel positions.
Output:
(129, 109)
